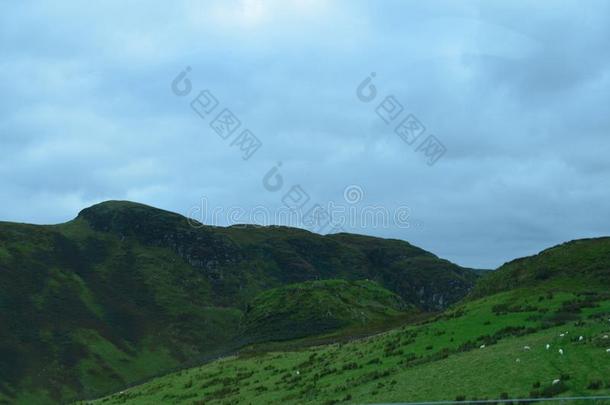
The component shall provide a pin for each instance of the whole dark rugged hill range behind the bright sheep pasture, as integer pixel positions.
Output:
(125, 292)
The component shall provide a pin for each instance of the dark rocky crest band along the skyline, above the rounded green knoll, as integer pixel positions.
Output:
(288, 255)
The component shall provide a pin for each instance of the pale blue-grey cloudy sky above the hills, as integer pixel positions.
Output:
(504, 103)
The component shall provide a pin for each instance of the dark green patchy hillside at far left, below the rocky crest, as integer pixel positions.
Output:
(85, 314)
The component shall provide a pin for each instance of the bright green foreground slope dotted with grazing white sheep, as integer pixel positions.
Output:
(490, 348)
